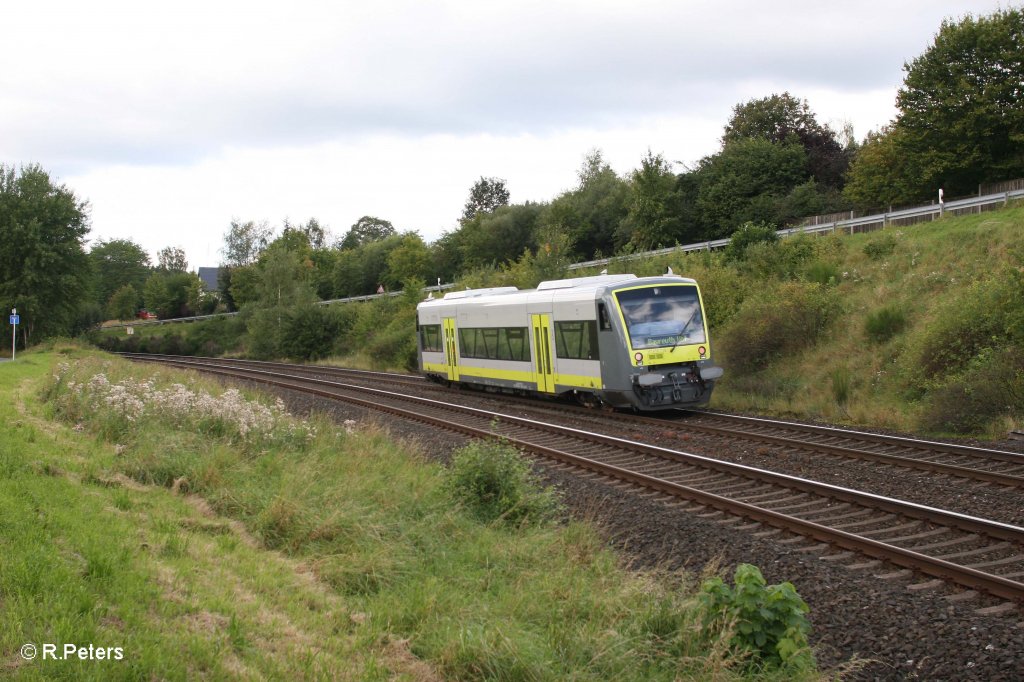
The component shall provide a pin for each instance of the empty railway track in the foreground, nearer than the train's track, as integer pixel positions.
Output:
(978, 555)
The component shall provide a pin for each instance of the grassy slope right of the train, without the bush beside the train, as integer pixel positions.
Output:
(901, 288)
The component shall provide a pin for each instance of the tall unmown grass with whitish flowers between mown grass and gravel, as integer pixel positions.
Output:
(475, 598)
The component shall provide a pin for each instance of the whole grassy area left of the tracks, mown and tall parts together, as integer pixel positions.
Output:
(207, 535)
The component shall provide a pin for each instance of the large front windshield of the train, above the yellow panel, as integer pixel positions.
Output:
(662, 317)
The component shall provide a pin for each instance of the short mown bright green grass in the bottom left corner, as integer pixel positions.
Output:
(91, 558)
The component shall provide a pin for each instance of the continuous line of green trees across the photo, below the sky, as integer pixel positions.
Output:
(960, 124)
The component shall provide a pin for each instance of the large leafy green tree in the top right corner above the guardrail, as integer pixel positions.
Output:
(960, 123)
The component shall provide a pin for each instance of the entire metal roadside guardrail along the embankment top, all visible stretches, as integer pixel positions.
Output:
(918, 215)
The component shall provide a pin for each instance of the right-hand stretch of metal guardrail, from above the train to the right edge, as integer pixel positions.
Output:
(918, 215)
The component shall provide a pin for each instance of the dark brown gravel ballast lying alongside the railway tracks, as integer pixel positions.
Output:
(906, 627)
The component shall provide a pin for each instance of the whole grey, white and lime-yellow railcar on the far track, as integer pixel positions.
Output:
(618, 340)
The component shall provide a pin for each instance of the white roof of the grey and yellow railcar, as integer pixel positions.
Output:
(564, 290)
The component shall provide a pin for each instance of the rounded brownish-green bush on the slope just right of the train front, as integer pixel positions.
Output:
(783, 320)
